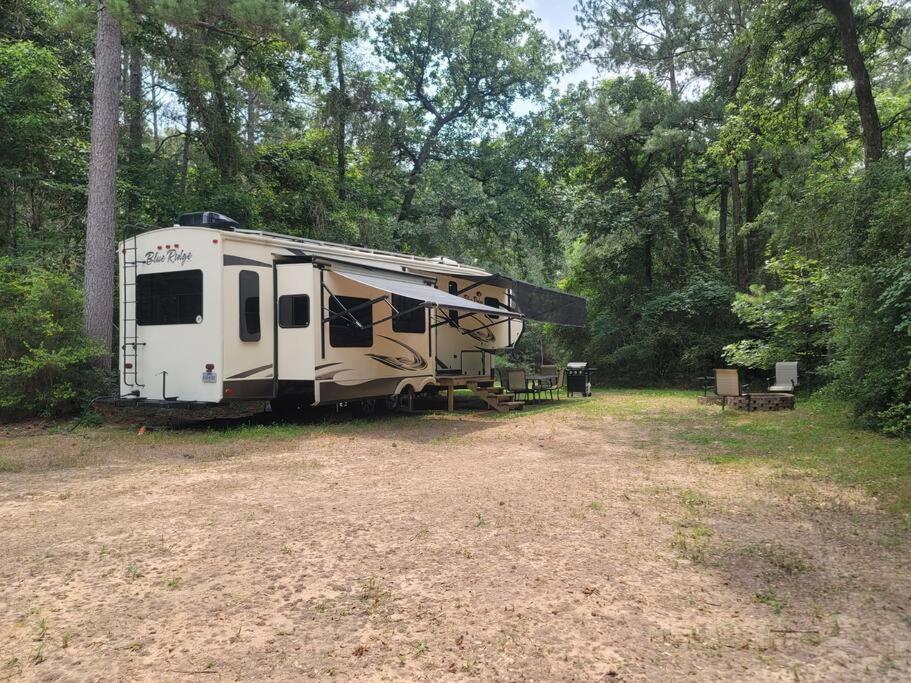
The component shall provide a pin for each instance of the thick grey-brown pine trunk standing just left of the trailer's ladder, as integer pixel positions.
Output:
(101, 214)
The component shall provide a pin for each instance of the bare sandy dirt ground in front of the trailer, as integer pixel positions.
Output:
(562, 545)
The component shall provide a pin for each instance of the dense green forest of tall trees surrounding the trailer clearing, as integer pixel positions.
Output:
(733, 188)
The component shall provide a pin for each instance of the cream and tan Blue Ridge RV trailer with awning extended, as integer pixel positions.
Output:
(211, 313)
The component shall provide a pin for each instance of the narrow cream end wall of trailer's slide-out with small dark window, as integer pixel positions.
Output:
(297, 320)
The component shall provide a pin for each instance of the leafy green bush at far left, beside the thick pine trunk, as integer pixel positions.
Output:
(46, 364)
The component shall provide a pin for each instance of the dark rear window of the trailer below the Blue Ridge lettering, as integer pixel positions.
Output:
(173, 298)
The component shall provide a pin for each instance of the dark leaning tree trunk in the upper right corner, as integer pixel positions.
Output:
(863, 89)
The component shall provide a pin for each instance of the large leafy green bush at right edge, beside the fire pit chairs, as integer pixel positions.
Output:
(859, 314)
